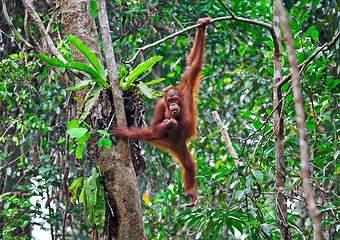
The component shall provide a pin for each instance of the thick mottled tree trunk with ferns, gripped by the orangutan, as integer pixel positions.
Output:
(123, 218)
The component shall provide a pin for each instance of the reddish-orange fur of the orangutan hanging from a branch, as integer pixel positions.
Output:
(175, 137)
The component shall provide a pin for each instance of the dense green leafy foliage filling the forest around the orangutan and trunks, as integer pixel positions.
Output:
(237, 82)
